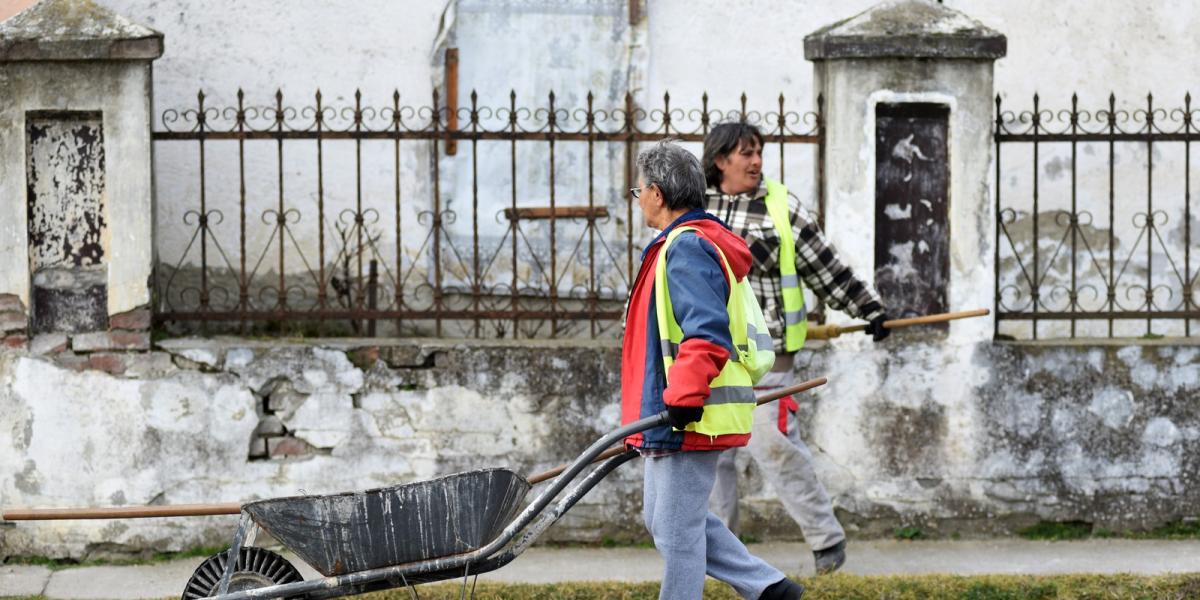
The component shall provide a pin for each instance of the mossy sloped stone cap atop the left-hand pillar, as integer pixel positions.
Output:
(75, 31)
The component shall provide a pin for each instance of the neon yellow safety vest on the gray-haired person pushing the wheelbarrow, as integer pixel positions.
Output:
(731, 401)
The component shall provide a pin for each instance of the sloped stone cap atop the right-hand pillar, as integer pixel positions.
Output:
(907, 29)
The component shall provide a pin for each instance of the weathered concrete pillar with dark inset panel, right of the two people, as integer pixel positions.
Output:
(908, 89)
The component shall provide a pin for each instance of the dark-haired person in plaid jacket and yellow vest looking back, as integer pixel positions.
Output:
(789, 251)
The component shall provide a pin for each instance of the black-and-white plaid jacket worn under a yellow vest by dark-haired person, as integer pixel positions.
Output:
(817, 262)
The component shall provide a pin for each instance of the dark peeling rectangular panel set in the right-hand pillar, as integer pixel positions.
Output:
(913, 181)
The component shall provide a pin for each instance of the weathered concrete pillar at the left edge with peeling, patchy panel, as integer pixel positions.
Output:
(76, 188)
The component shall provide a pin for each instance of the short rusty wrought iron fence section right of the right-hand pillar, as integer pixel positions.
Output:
(1094, 221)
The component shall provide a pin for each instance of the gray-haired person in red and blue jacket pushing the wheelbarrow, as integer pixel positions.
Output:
(676, 357)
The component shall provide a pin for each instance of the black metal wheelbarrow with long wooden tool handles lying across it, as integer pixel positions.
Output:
(447, 529)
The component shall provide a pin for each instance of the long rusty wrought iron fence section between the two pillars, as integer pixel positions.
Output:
(367, 238)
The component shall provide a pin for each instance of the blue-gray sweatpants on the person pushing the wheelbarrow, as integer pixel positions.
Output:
(693, 542)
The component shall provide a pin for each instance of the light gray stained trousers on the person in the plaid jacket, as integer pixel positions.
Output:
(787, 464)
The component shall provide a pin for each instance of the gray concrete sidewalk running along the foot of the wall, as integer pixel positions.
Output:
(547, 565)
